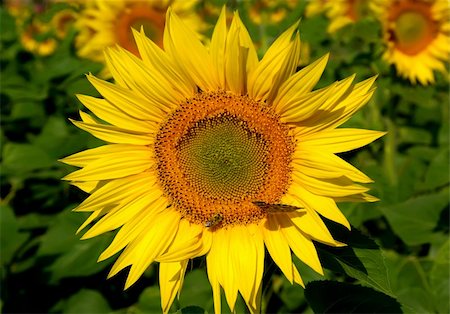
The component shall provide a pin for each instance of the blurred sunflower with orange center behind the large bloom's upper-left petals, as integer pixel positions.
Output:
(106, 23)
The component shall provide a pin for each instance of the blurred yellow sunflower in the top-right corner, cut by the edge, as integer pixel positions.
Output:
(417, 36)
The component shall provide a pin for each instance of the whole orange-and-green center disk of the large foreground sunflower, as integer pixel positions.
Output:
(220, 152)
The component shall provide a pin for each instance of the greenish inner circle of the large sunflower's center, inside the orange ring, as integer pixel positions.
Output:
(223, 158)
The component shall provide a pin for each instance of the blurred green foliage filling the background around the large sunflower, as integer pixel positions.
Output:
(397, 261)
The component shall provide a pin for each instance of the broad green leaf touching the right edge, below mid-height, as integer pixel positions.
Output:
(414, 220)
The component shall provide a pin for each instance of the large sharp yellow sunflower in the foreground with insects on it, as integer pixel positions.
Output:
(214, 152)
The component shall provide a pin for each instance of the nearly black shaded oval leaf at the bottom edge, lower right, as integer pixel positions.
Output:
(339, 297)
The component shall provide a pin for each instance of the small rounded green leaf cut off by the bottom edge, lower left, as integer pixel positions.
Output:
(87, 301)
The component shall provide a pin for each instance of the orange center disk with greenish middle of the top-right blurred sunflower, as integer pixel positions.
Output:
(414, 30)
